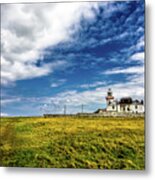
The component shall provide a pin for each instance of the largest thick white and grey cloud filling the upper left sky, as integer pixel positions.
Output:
(27, 29)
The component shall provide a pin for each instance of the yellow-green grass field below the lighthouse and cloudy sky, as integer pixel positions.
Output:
(73, 142)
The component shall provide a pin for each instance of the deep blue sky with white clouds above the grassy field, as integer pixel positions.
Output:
(57, 54)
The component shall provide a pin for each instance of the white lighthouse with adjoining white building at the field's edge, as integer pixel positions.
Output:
(124, 105)
